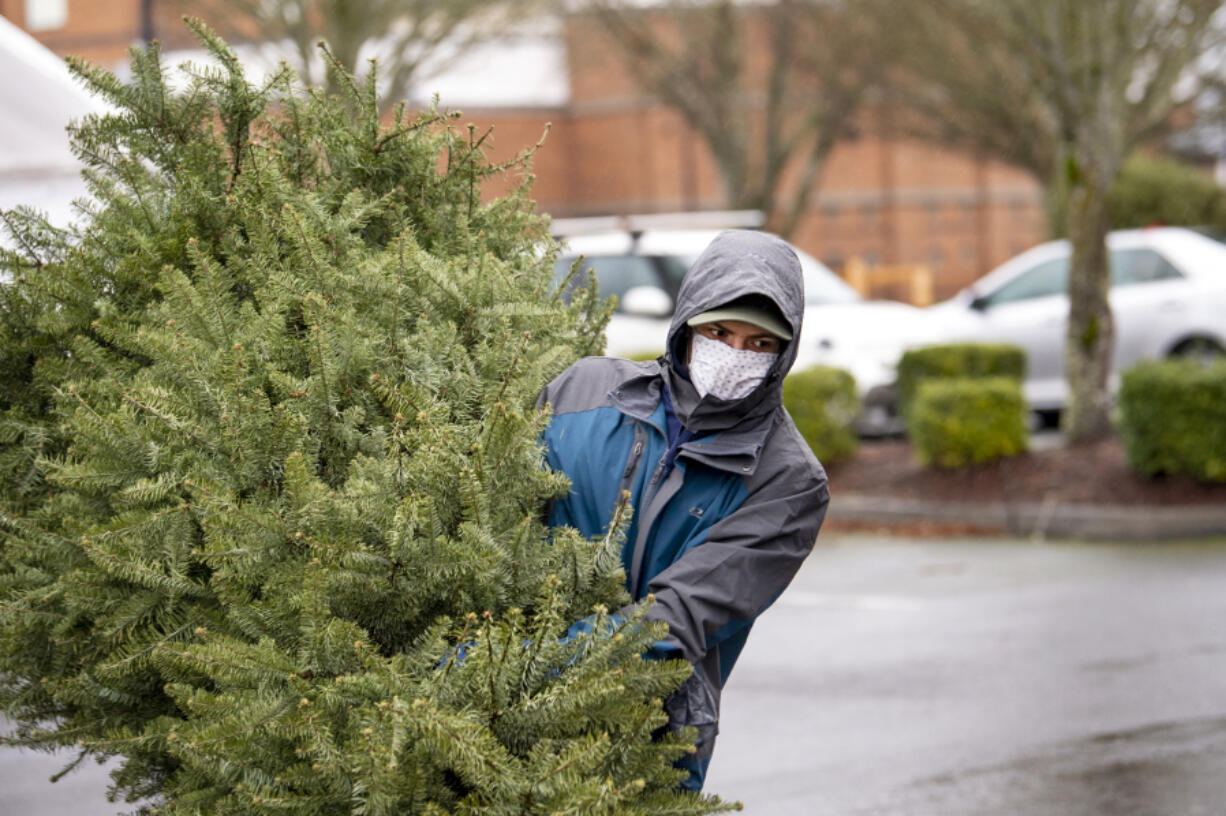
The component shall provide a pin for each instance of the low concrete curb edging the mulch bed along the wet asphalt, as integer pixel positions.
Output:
(1039, 520)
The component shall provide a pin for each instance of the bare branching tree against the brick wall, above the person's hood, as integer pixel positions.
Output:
(768, 86)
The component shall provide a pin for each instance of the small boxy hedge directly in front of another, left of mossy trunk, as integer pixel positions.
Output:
(961, 422)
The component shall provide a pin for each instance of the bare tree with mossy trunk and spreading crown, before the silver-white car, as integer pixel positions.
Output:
(1066, 89)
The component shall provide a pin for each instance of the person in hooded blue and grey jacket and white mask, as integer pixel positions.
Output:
(728, 497)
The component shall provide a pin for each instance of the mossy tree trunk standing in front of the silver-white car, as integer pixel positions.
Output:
(1091, 336)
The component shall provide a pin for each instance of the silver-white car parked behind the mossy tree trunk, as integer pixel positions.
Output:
(1168, 300)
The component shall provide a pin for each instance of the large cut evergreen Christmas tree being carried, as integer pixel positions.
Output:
(272, 477)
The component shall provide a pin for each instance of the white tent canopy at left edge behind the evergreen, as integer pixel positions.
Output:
(39, 99)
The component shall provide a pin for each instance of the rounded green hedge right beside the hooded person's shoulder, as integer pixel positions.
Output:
(824, 406)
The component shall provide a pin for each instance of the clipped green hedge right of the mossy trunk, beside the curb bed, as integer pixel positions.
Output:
(1174, 418)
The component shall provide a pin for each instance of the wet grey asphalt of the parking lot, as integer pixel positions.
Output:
(945, 678)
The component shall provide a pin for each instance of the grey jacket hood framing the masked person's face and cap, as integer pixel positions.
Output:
(737, 264)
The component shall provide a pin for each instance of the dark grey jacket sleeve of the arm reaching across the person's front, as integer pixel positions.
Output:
(746, 563)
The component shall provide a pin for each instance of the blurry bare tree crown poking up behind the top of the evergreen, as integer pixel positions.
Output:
(408, 37)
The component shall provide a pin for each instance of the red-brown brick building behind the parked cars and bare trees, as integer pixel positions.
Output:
(615, 150)
